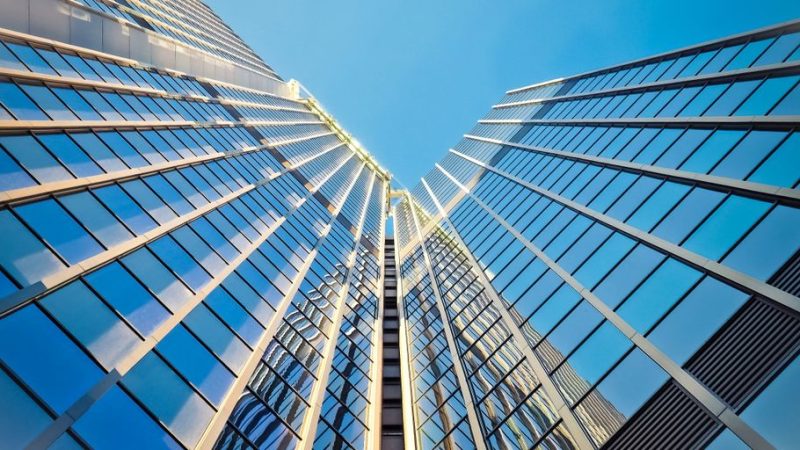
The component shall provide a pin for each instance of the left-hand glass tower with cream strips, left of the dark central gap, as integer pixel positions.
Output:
(190, 249)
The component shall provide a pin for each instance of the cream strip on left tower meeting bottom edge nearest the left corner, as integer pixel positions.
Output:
(74, 412)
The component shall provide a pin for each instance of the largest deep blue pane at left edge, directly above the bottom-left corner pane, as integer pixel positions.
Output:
(35, 349)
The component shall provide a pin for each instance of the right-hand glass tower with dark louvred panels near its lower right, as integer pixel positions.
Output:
(610, 260)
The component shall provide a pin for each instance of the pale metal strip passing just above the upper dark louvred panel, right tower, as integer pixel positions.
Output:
(734, 277)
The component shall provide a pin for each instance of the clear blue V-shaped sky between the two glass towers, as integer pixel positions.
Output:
(408, 78)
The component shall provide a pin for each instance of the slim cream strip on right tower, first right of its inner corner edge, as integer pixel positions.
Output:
(475, 426)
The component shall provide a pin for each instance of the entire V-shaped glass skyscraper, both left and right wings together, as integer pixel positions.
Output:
(194, 254)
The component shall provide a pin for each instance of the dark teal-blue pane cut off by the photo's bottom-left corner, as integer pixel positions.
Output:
(27, 420)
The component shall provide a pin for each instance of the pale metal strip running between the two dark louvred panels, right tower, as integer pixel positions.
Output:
(702, 394)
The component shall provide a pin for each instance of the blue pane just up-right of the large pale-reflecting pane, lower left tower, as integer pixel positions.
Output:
(129, 297)
